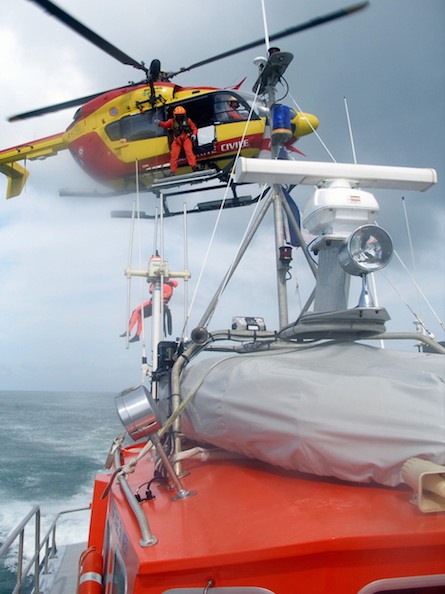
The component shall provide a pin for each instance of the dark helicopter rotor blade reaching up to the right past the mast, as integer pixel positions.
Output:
(290, 31)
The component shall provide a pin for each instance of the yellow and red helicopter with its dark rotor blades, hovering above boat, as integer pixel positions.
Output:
(112, 131)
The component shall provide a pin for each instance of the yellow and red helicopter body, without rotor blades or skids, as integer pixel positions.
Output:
(115, 134)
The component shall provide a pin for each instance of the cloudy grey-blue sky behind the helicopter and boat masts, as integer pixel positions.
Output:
(63, 300)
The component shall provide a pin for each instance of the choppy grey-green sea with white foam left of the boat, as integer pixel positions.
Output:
(53, 444)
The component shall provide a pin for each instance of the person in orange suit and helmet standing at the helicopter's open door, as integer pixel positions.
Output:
(182, 129)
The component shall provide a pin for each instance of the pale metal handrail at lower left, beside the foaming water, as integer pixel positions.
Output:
(50, 551)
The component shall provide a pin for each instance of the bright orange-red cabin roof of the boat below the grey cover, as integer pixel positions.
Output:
(251, 524)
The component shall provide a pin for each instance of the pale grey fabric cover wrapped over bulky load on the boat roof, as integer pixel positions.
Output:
(346, 410)
